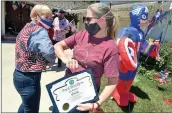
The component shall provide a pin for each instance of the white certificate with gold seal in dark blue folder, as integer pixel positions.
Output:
(71, 90)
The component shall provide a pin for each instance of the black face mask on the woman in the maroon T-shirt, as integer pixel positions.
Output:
(92, 28)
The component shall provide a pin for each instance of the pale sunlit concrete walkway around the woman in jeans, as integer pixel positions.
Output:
(10, 98)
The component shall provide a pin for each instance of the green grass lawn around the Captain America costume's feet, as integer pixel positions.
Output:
(149, 97)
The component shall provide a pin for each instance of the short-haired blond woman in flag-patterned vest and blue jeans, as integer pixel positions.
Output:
(34, 50)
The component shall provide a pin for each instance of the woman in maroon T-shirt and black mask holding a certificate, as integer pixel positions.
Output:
(94, 48)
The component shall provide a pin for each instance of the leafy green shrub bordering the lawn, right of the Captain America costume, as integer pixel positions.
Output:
(150, 66)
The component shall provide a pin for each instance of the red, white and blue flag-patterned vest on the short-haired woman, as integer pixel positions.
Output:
(25, 59)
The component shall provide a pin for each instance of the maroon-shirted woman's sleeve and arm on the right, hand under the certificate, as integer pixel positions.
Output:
(111, 68)
